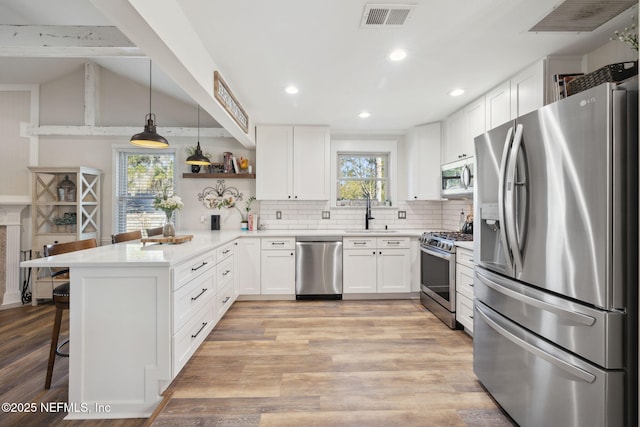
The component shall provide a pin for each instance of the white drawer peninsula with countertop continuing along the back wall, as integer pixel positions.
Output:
(138, 313)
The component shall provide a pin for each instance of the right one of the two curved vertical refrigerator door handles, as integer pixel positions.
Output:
(510, 206)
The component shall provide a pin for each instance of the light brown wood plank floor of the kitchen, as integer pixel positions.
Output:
(284, 363)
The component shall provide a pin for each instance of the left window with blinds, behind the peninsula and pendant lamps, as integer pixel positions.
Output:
(140, 176)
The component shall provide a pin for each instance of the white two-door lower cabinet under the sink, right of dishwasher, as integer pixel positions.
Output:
(376, 265)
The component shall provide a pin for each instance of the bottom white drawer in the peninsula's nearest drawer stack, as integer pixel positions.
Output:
(189, 338)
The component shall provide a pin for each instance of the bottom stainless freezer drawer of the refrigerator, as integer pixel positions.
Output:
(539, 384)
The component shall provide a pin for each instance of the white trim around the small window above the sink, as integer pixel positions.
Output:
(360, 146)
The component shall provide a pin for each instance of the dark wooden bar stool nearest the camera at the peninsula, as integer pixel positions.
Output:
(61, 296)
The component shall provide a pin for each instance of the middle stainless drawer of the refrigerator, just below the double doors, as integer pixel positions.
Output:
(595, 335)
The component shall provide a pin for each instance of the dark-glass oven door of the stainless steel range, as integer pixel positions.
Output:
(437, 276)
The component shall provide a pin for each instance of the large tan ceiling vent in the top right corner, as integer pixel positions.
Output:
(582, 15)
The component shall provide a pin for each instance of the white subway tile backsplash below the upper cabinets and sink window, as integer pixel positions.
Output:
(307, 215)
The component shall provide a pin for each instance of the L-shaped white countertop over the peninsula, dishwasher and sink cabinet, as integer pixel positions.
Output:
(134, 254)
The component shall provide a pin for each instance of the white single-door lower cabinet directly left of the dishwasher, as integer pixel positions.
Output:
(277, 266)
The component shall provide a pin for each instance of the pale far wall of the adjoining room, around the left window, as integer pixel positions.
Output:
(121, 103)
